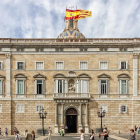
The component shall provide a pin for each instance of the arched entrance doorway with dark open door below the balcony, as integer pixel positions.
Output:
(72, 120)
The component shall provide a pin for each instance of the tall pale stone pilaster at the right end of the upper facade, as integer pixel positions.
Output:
(135, 74)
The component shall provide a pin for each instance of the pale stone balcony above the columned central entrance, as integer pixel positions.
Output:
(71, 96)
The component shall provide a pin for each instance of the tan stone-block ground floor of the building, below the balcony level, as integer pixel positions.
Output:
(76, 114)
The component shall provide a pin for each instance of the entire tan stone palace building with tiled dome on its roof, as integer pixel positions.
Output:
(71, 77)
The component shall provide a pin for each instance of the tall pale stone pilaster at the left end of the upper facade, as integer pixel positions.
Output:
(8, 74)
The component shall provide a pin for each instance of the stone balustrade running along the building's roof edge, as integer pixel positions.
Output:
(75, 40)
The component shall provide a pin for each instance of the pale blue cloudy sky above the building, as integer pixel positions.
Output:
(45, 18)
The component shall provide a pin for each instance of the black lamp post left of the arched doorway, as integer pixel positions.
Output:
(42, 116)
